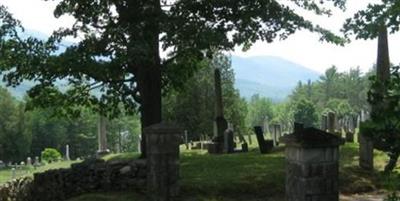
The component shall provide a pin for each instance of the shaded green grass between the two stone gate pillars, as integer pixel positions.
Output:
(240, 176)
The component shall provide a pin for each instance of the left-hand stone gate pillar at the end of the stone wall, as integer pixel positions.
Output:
(162, 161)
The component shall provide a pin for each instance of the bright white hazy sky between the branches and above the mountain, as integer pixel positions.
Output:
(302, 47)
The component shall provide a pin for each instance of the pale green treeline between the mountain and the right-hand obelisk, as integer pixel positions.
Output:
(344, 93)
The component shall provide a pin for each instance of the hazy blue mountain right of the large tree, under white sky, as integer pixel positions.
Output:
(269, 76)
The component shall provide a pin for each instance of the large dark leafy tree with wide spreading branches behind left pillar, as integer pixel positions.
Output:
(119, 52)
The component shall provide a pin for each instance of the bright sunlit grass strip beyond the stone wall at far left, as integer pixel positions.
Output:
(5, 174)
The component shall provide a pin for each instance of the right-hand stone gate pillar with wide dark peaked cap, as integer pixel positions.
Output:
(312, 167)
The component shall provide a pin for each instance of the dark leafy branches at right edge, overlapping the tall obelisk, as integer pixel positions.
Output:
(383, 127)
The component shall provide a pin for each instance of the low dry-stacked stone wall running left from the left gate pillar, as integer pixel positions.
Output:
(88, 176)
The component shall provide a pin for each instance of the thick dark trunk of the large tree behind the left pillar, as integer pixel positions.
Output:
(149, 70)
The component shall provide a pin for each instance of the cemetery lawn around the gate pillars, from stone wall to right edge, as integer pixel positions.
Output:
(252, 176)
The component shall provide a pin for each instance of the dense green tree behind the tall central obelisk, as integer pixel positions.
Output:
(193, 107)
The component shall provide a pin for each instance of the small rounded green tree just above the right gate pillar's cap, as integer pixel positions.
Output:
(305, 113)
